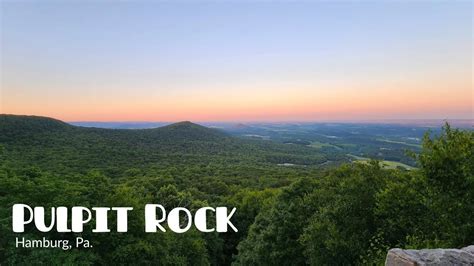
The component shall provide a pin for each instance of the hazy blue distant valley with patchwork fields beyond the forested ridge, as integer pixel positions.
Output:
(336, 142)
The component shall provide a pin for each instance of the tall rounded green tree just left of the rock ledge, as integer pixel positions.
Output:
(344, 204)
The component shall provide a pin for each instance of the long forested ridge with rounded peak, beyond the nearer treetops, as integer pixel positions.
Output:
(52, 144)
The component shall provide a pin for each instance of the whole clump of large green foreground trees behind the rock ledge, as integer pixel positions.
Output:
(354, 214)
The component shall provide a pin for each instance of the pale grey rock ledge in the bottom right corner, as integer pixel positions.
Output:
(438, 257)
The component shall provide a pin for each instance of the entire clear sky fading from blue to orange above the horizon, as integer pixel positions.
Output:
(237, 60)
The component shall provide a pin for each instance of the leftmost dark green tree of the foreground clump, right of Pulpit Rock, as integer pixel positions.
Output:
(273, 238)
